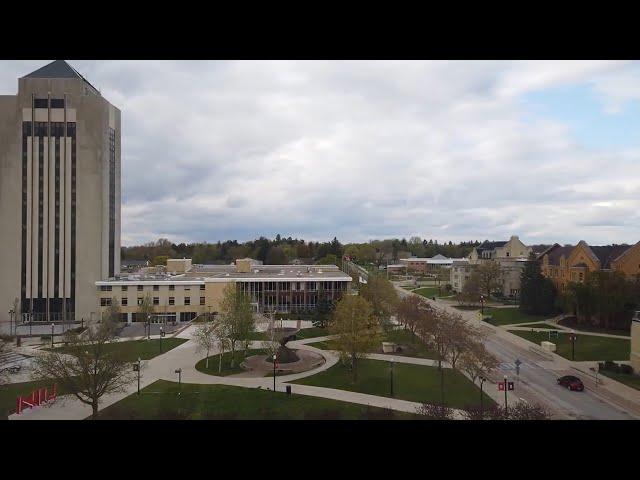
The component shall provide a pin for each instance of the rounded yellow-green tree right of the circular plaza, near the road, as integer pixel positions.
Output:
(357, 331)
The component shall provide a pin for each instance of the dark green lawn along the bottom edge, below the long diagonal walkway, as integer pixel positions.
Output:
(160, 401)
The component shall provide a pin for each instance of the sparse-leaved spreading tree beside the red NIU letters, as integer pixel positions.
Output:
(91, 370)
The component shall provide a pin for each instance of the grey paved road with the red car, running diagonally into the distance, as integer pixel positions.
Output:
(537, 382)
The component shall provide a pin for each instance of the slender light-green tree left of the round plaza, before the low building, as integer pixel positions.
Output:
(236, 313)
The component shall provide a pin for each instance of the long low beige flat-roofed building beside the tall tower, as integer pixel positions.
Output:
(185, 291)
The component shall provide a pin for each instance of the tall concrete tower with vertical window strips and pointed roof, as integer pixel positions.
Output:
(59, 195)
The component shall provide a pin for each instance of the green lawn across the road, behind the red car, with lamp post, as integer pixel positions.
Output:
(587, 347)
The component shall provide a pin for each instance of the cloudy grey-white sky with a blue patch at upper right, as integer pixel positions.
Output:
(215, 150)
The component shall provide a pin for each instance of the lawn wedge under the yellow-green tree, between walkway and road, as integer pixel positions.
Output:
(416, 383)
